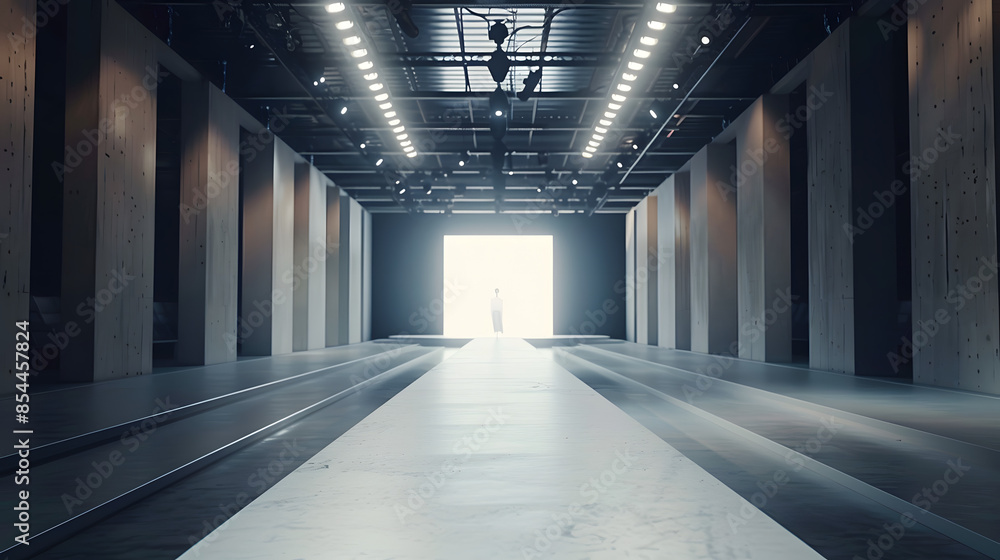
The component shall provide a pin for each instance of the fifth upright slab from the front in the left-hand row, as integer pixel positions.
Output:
(309, 279)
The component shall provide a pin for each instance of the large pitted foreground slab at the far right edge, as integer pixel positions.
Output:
(952, 133)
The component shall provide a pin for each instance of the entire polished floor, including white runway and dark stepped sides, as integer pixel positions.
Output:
(393, 450)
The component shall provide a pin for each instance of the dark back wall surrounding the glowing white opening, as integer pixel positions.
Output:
(408, 263)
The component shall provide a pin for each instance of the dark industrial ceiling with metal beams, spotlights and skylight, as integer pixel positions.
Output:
(269, 55)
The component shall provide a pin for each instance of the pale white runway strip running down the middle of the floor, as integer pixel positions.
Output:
(499, 452)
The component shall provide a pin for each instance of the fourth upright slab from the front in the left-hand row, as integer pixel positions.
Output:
(268, 249)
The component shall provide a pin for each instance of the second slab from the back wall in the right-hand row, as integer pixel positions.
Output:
(647, 266)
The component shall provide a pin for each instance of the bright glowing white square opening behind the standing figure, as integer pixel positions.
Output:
(519, 265)
